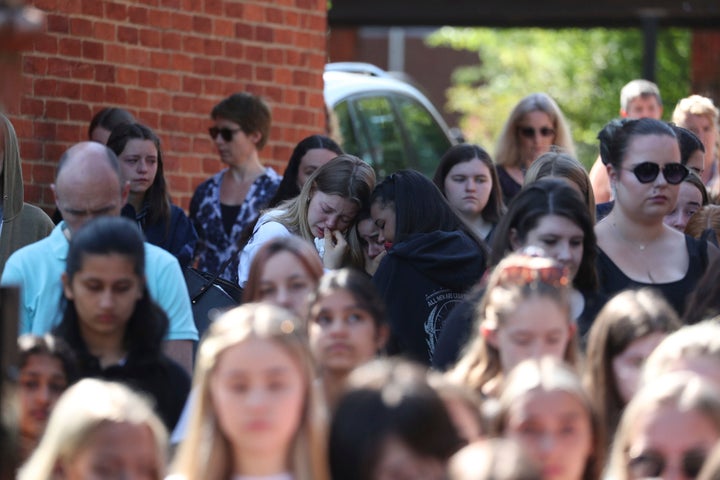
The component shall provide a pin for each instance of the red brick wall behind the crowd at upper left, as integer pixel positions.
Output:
(168, 62)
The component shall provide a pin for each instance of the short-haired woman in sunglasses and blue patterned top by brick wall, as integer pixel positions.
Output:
(224, 204)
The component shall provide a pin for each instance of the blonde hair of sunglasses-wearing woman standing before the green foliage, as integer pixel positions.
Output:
(507, 152)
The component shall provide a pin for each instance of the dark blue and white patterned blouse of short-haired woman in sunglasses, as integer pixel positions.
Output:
(215, 246)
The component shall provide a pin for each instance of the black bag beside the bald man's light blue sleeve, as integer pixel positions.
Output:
(210, 296)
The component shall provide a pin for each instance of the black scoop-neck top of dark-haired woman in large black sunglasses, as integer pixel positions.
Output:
(613, 280)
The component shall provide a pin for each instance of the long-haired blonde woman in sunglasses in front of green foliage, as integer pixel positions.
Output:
(534, 125)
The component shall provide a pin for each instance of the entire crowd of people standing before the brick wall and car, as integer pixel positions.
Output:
(514, 317)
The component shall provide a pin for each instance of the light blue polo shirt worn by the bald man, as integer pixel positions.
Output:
(37, 268)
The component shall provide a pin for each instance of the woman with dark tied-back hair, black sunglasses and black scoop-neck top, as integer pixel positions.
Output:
(635, 248)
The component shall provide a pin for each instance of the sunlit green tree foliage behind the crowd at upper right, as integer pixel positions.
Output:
(582, 69)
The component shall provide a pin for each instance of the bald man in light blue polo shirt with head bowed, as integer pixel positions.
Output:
(87, 185)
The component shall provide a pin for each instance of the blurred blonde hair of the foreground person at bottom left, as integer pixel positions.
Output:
(81, 410)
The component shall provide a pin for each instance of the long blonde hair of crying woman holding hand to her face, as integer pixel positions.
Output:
(345, 175)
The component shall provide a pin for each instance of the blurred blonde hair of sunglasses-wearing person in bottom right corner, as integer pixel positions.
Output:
(681, 391)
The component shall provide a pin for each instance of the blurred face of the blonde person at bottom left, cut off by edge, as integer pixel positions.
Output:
(114, 451)
